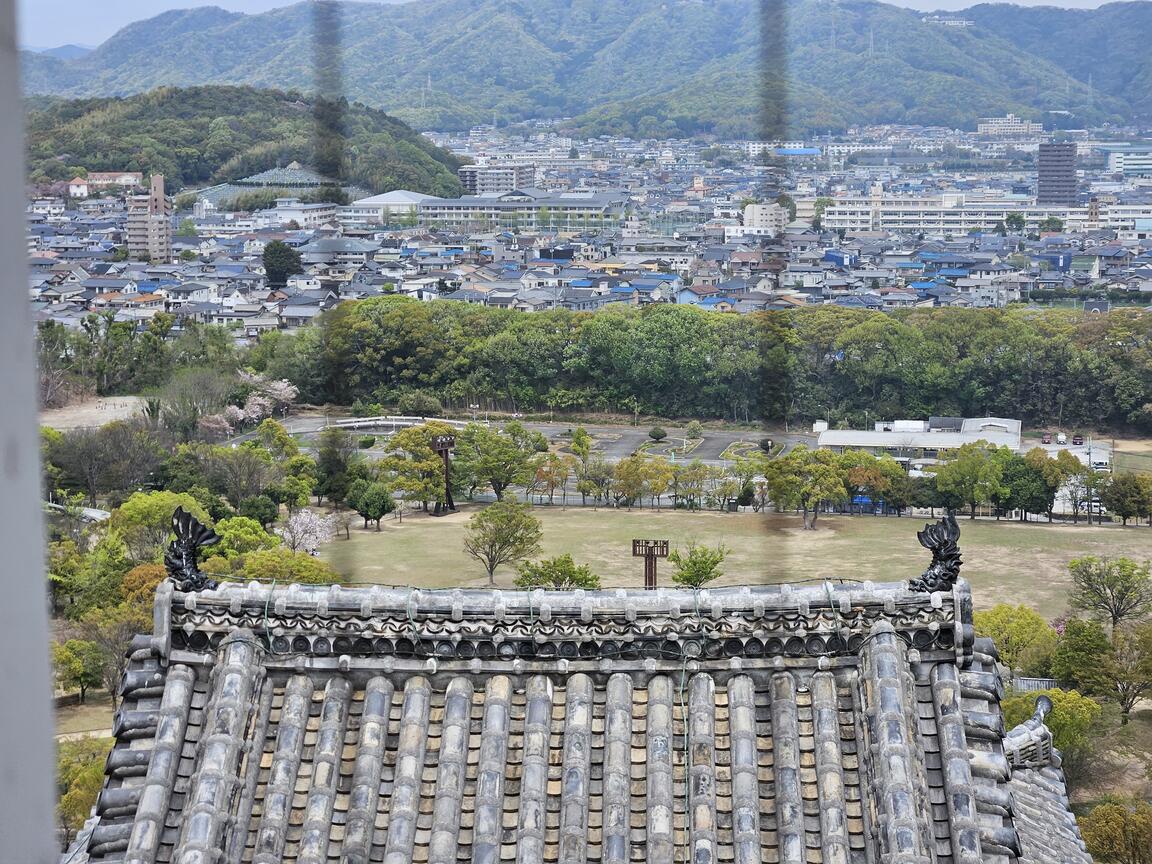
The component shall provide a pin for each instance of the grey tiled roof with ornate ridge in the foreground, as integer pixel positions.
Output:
(829, 723)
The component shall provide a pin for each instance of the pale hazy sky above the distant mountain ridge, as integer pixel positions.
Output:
(49, 24)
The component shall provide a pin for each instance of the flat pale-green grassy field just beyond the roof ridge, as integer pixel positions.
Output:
(1006, 563)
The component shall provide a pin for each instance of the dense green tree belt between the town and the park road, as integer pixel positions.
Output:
(1044, 367)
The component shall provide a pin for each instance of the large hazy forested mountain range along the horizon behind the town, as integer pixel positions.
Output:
(655, 67)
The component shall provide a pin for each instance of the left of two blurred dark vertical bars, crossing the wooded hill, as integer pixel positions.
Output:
(331, 105)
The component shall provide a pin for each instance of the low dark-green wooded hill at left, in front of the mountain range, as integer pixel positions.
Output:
(206, 135)
